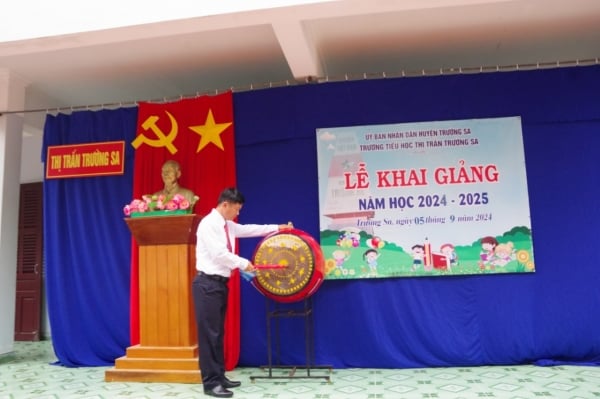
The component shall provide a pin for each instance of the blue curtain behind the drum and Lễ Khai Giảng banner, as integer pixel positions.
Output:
(546, 317)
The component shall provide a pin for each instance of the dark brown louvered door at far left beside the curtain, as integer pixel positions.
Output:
(29, 264)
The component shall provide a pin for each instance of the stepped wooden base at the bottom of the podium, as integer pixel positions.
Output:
(157, 364)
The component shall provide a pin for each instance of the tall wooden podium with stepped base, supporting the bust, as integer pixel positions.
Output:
(168, 348)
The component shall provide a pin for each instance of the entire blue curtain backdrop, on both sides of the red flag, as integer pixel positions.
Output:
(548, 317)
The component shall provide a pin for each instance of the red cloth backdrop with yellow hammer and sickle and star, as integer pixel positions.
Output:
(199, 134)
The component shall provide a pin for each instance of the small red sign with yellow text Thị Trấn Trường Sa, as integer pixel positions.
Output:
(79, 160)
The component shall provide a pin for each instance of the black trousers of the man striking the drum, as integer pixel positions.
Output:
(210, 304)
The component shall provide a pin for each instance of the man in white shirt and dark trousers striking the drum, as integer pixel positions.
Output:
(215, 260)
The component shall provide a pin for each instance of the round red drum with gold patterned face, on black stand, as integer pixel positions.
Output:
(290, 266)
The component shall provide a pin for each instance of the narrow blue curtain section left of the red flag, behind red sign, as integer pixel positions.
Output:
(87, 244)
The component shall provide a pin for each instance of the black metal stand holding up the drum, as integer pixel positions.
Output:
(275, 312)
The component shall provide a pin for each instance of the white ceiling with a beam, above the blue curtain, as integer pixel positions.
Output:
(325, 41)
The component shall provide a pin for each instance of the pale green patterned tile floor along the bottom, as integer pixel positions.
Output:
(28, 374)
